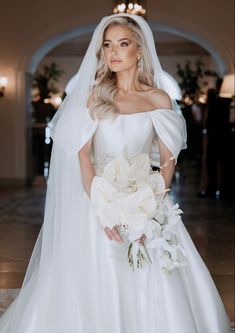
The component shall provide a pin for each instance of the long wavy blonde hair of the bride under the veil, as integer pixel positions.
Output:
(104, 89)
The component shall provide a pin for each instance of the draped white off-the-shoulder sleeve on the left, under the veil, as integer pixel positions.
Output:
(73, 132)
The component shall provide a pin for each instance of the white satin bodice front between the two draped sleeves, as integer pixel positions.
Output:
(126, 135)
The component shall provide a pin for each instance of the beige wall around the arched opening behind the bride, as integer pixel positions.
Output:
(27, 25)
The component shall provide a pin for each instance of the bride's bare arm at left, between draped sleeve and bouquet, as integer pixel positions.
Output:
(87, 169)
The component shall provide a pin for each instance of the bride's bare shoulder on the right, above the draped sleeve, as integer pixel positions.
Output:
(159, 99)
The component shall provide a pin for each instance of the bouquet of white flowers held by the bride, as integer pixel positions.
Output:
(130, 196)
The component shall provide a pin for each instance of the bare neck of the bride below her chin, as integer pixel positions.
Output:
(127, 81)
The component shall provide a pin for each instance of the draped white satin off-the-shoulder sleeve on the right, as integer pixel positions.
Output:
(170, 127)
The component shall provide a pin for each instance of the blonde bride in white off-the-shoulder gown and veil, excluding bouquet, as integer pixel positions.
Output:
(79, 279)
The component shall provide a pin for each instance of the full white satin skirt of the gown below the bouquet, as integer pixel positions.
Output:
(90, 288)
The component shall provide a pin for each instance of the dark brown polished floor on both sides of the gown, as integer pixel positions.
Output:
(209, 221)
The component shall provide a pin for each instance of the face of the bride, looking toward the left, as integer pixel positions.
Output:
(120, 48)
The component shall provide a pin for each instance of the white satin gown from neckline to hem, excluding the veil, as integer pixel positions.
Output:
(87, 286)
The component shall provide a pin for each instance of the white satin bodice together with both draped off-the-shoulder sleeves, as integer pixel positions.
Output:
(126, 135)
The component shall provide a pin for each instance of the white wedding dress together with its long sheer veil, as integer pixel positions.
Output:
(78, 281)
